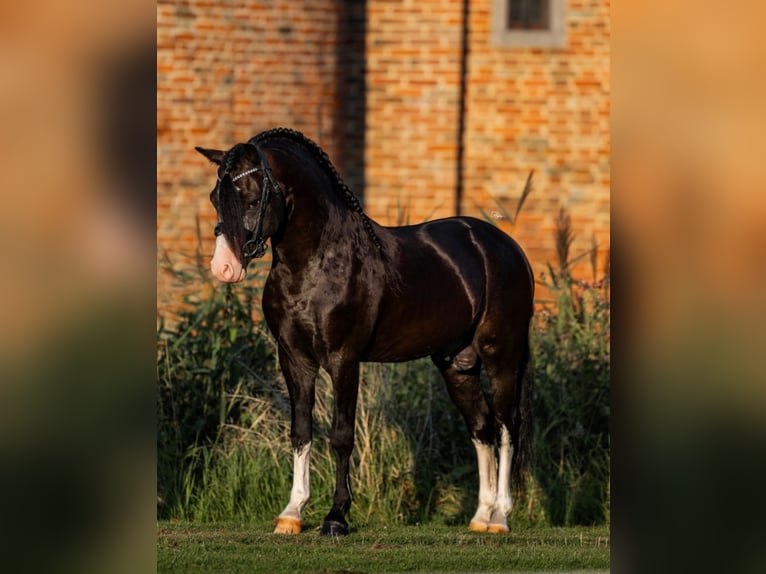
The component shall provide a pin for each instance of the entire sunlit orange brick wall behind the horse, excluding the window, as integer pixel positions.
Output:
(377, 83)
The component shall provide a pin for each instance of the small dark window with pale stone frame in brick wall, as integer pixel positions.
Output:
(528, 23)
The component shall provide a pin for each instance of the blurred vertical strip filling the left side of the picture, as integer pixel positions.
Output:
(77, 287)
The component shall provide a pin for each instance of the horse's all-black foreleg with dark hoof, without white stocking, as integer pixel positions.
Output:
(345, 378)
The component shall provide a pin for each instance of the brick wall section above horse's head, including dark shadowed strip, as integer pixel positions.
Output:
(230, 69)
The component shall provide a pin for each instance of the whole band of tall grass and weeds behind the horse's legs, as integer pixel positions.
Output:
(223, 420)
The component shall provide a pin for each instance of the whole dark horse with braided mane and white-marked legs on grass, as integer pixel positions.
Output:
(343, 290)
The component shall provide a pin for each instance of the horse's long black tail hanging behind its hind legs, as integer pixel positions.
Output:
(521, 424)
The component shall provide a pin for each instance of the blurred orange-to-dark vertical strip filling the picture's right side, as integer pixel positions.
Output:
(689, 221)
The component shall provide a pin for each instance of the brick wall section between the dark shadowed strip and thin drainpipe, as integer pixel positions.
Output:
(413, 95)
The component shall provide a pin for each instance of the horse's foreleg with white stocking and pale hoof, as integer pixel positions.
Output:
(300, 375)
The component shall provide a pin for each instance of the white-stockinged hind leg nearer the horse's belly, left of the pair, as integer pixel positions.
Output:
(464, 386)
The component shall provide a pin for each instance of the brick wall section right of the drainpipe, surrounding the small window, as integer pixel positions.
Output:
(547, 110)
